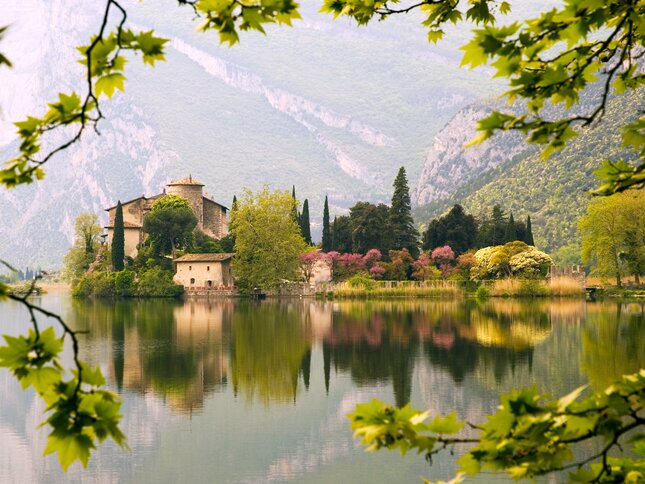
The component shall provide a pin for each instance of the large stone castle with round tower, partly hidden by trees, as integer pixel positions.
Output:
(211, 216)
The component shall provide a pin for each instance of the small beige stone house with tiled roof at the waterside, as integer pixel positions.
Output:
(204, 271)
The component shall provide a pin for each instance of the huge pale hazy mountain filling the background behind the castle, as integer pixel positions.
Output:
(327, 106)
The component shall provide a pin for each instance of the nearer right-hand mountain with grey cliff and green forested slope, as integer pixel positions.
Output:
(503, 171)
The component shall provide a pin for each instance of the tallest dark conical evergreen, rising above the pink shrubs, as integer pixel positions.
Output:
(401, 228)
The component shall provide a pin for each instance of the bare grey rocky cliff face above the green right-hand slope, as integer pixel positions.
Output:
(449, 164)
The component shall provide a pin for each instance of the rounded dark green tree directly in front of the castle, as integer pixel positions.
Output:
(170, 224)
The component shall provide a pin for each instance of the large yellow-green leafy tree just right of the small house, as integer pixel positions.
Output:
(268, 242)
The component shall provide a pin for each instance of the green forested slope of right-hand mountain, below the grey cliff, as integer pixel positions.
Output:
(553, 192)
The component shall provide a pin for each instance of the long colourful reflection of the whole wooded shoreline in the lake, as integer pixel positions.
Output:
(184, 352)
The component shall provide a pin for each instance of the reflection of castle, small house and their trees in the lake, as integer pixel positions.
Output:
(177, 351)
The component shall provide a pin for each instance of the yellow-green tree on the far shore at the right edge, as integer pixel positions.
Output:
(613, 235)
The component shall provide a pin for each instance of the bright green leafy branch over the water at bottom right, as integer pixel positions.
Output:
(528, 436)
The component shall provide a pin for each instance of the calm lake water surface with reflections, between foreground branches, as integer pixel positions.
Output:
(236, 391)
